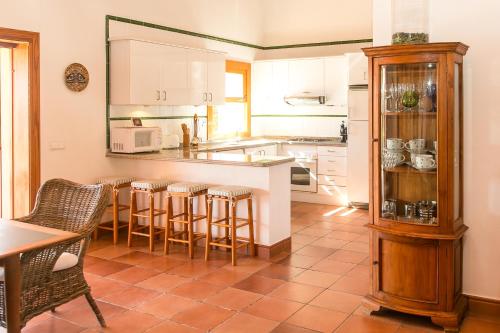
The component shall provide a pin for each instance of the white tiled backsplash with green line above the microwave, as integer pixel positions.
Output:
(168, 118)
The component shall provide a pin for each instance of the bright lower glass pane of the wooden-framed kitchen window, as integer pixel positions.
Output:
(229, 119)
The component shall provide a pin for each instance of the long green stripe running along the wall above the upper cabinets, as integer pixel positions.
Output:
(231, 41)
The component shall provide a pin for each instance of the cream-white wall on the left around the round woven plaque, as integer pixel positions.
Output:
(73, 31)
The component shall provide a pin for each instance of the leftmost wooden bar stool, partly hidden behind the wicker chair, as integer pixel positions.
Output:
(114, 225)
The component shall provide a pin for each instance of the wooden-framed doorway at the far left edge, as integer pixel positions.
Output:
(19, 122)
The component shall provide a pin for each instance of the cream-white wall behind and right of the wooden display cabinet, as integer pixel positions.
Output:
(476, 25)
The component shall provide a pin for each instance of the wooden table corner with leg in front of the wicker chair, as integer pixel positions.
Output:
(16, 238)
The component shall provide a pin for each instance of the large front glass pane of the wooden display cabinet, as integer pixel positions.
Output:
(408, 143)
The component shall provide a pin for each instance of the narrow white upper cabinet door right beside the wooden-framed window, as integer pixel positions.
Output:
(216, 78)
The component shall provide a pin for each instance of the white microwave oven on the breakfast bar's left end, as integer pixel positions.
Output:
(135, 139)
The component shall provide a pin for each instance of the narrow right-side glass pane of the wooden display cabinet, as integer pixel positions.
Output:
(456, 152)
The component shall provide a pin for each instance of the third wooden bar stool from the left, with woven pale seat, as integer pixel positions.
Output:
(186, 191)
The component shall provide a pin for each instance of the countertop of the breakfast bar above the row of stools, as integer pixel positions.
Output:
(187, 155)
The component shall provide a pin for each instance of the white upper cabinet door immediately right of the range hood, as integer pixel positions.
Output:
(336, 81)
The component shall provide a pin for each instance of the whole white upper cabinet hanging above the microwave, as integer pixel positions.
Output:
(145, 73)
